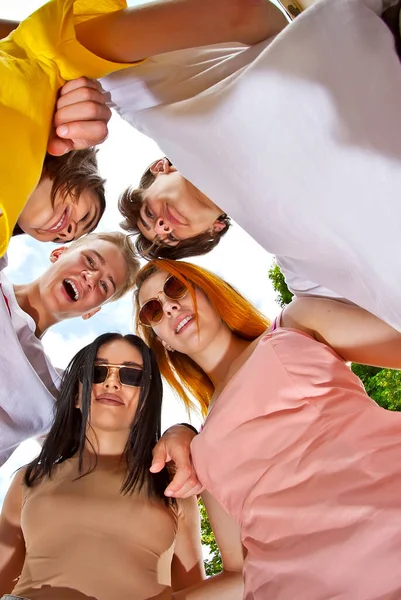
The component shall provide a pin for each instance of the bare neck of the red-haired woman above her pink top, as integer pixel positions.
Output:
(221, 358)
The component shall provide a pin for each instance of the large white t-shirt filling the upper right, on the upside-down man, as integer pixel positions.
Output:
(298, 139)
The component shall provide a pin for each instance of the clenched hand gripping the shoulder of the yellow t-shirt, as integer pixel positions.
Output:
(81, 117)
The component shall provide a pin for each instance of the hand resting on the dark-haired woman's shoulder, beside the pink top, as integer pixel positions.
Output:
(174, 445)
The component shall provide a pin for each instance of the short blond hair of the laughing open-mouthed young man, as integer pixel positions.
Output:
(125, 245)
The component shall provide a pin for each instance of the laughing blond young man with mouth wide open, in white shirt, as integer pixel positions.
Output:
(94, 270)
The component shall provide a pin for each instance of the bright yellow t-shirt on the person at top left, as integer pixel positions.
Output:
(35, 61)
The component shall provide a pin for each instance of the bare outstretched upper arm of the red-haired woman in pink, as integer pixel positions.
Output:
(355, 334)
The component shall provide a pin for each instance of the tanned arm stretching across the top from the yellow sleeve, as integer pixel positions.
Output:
(145, 30)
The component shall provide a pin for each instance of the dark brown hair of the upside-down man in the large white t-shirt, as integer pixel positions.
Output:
(130, 203)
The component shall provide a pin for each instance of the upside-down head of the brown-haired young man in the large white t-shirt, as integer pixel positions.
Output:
(170, 217)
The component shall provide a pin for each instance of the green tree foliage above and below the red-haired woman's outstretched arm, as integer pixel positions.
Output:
(383, 385)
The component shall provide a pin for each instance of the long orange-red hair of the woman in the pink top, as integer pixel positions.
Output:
(244, 320)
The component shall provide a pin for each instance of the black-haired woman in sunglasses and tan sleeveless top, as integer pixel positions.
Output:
(86, 518)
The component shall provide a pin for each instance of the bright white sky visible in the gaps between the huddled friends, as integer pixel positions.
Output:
(122, 159)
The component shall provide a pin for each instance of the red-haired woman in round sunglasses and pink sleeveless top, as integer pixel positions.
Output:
(292, 446)
